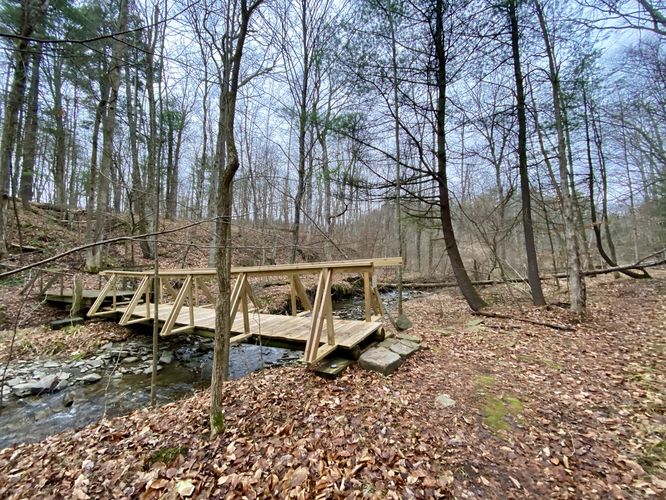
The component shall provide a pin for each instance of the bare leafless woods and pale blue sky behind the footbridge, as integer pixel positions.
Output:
(519, 138)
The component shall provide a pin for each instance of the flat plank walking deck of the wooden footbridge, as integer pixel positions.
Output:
(348, 333)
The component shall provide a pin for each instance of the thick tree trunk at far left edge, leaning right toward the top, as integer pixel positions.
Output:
(32, 13)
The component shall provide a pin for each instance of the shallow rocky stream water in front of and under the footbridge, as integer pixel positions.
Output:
(124, 386)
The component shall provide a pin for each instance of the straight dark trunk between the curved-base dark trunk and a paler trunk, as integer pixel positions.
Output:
(528, 229)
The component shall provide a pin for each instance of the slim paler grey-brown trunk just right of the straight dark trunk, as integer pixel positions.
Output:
(577, 295)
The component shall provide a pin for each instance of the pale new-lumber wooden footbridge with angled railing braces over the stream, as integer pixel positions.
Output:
(186, 300)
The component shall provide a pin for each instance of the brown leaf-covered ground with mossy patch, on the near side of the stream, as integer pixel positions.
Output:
(538, 412)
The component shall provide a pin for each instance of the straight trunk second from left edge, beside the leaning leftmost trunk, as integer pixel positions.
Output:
(30, 137)
